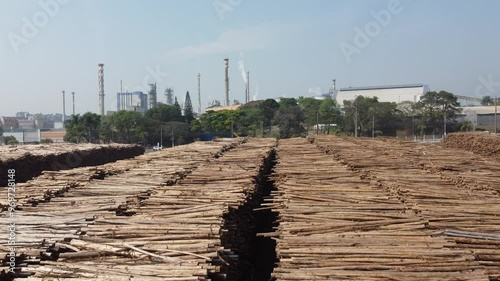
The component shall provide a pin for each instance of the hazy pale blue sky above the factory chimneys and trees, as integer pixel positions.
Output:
(292, 48)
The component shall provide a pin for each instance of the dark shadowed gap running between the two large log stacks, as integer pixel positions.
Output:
(253, 256)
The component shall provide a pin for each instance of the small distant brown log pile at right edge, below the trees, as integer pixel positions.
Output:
(479, 143)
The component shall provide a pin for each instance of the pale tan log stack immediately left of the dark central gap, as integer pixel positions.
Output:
(163, 230)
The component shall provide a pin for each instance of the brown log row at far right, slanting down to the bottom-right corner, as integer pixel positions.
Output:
(457, 194)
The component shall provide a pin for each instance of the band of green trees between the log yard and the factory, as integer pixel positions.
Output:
(435, 113)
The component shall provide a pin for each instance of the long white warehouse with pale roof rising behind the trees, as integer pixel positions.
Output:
(397, 94)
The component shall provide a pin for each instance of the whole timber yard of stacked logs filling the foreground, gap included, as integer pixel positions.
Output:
(316, 208)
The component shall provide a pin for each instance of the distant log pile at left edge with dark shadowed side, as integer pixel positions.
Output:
(30, 160)
